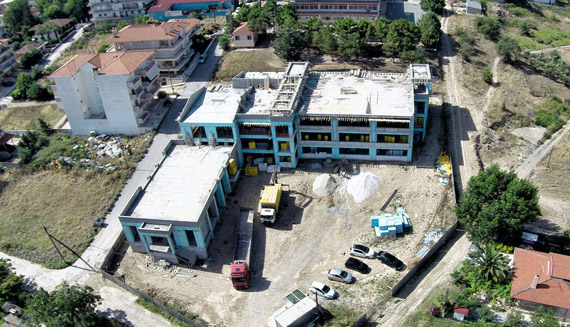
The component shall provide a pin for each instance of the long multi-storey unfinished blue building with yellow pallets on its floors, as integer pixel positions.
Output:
(297, 114)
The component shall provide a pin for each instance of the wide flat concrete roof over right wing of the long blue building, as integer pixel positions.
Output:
(341, 94)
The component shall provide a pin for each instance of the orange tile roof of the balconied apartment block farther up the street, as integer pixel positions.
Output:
(153, 32)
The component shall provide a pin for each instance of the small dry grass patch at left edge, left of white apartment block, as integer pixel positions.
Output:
(27, 117)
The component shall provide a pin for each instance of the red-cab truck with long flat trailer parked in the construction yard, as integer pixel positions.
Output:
(240, 265)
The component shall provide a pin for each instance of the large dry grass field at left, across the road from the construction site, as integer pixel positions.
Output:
(64, 201)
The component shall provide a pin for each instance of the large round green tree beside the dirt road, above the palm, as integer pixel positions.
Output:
(496, 204)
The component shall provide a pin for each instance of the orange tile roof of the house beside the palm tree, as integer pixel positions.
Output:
(553, 273)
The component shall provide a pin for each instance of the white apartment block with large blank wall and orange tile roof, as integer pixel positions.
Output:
(108, 93)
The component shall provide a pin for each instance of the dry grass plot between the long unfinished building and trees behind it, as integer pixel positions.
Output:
(255, 60)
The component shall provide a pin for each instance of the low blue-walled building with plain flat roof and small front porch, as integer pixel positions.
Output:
(174, 215)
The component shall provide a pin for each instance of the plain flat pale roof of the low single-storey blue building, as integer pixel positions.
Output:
(183, 184)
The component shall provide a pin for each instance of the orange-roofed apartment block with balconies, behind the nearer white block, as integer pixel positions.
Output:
(171, 42)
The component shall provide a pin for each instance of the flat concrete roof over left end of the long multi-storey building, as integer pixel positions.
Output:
(219, 106)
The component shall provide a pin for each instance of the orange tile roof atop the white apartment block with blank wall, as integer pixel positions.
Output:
(107, 63)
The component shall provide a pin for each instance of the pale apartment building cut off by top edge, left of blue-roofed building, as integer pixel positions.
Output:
(112, 10)
